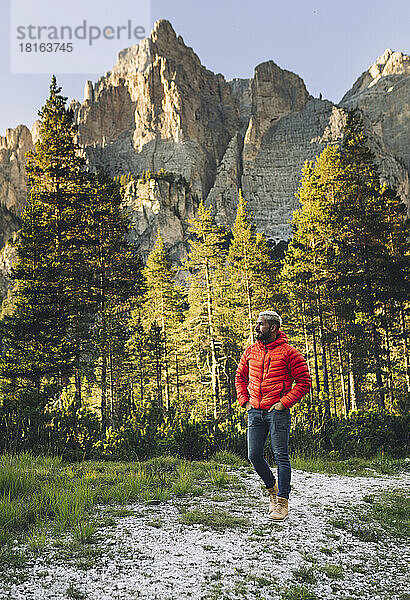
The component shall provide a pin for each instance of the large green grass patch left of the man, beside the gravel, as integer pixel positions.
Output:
(41, 493)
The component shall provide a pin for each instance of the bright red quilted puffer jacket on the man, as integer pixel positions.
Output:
(265, 374)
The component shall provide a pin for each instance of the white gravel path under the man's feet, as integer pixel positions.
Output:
(149, 554)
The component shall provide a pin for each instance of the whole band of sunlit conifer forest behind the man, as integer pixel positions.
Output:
(103, 356)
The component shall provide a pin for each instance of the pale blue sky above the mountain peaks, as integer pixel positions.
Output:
(328, 43)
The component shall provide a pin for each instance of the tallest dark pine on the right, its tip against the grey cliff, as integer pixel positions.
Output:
(370, 218)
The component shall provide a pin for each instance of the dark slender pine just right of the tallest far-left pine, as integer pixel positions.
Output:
(116, 286)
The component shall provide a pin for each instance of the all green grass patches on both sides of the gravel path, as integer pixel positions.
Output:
(41, 496)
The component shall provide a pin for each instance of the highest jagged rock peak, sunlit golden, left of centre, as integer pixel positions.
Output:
(159, 108)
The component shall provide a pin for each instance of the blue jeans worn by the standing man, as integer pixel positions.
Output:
(261, 422)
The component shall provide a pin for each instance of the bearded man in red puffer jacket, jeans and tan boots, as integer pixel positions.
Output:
(264, 378)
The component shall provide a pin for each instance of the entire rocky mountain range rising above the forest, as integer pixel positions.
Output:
(160, 108)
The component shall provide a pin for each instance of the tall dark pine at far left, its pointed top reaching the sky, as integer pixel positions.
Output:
(49, 309)
